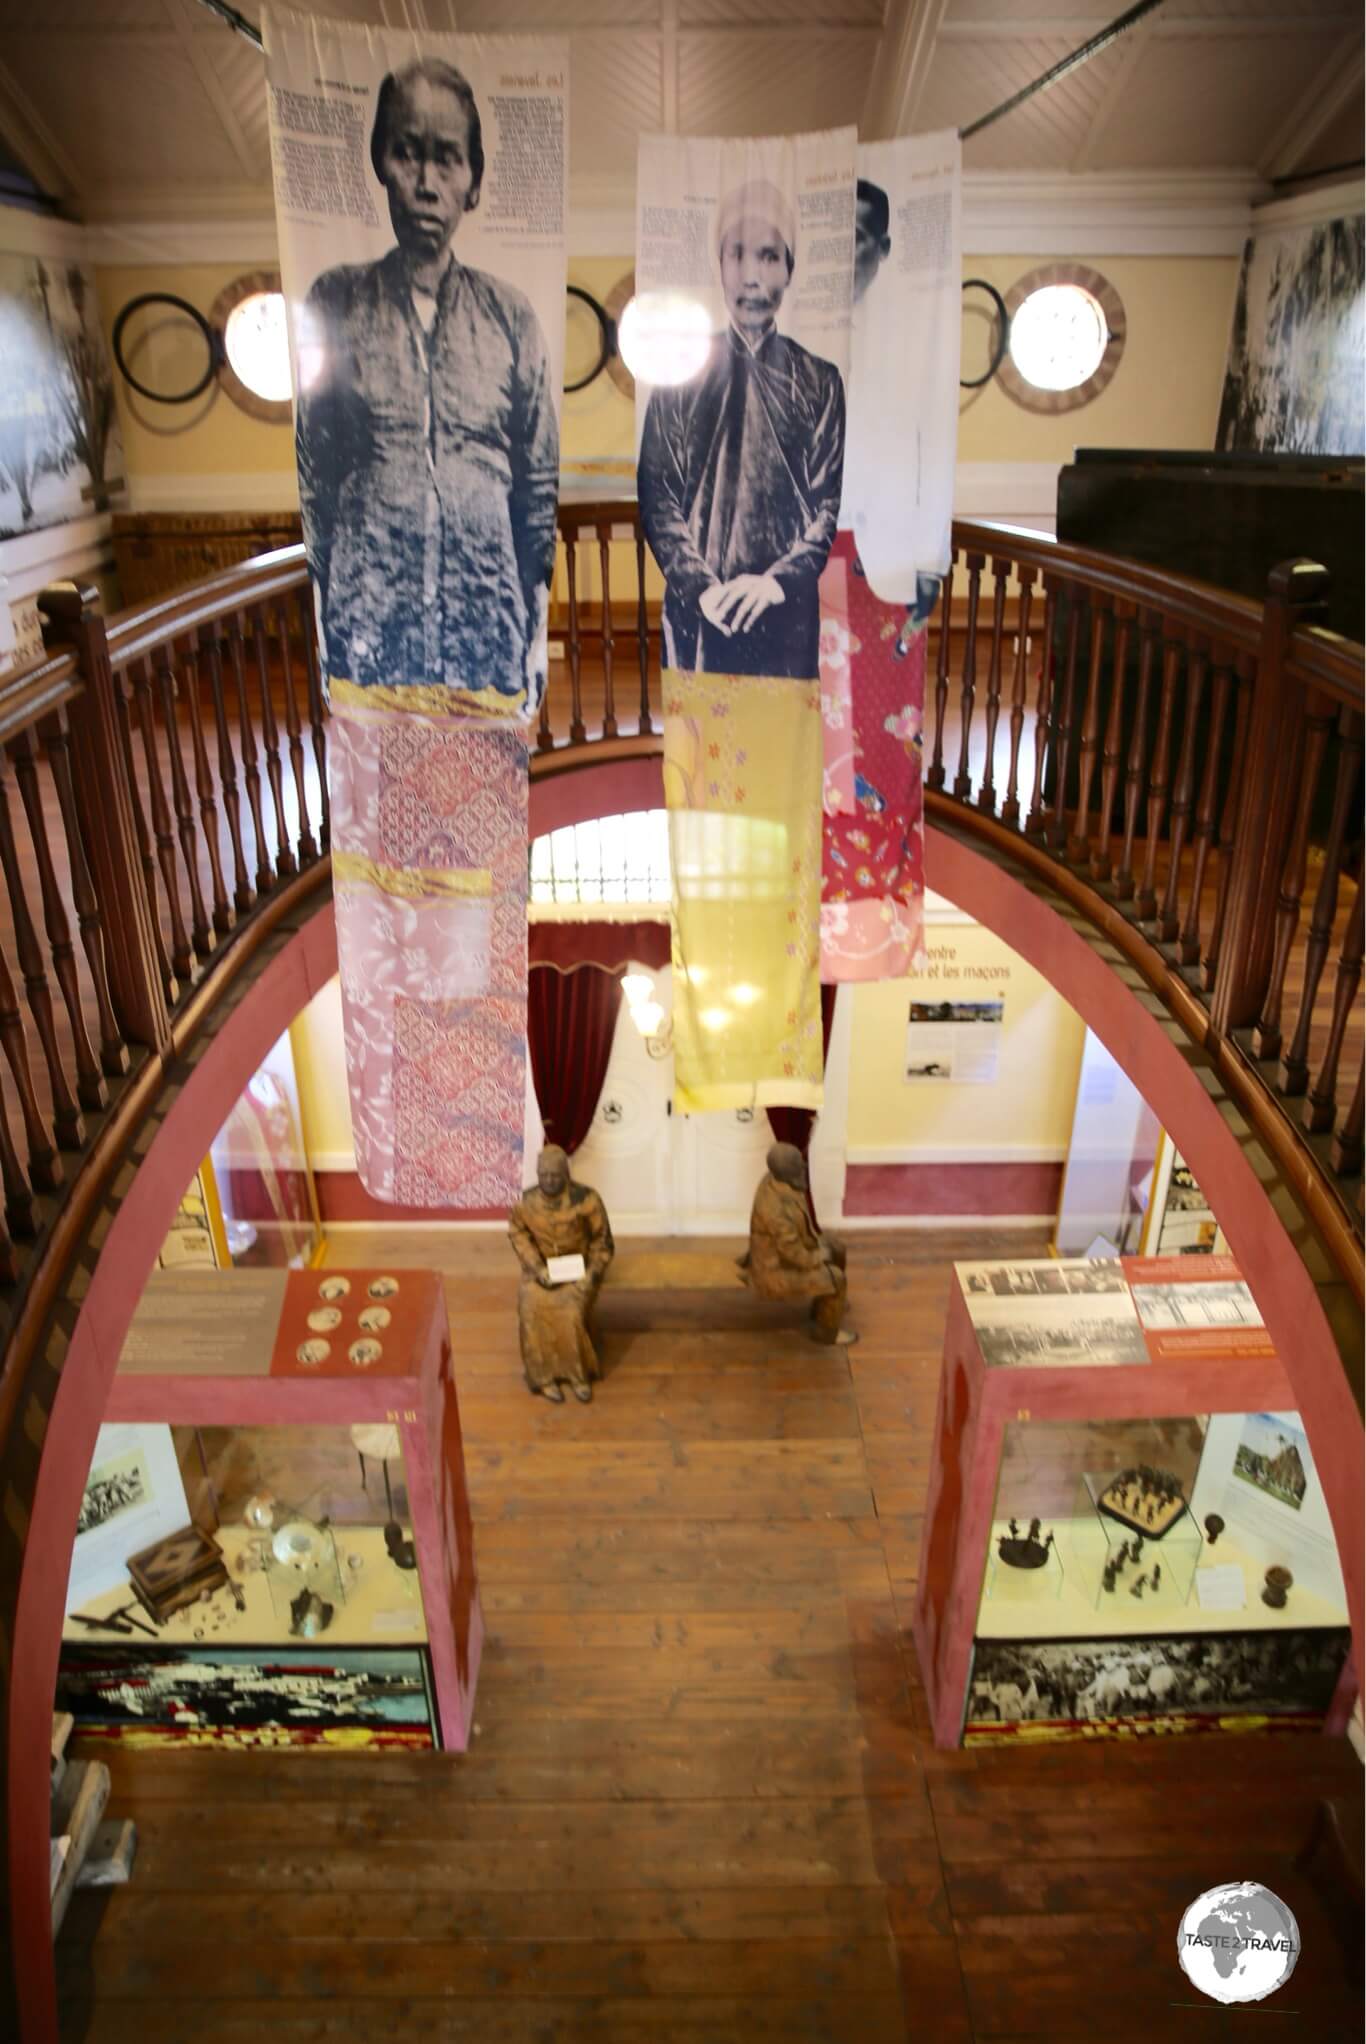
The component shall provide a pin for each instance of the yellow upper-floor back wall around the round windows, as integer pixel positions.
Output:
(1165, 396)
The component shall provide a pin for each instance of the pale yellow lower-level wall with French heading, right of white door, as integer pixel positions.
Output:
(1030, 1105)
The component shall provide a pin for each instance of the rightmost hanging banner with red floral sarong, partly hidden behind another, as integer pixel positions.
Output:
(884, 575)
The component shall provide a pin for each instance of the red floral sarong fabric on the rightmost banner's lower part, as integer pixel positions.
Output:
(872, 698)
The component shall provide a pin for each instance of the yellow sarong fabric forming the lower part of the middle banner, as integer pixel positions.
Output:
(743, 761)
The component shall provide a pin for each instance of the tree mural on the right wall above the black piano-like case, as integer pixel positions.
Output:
(1295, 357)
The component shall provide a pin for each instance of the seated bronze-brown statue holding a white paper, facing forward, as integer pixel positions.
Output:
(559, 1219)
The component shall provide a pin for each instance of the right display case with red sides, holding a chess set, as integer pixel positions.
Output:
(1126, 1528)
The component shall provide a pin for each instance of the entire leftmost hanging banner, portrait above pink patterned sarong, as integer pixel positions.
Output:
(420, 195)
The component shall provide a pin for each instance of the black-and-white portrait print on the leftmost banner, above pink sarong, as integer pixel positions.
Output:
(428, 369)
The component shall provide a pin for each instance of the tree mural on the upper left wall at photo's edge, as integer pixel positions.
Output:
(60, 453)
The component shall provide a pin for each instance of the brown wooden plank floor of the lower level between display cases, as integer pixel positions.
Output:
(702, 1802)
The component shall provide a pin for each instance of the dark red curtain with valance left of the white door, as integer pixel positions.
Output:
(574, 1001)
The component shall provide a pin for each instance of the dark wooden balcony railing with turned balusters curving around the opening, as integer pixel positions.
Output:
(1185, 765)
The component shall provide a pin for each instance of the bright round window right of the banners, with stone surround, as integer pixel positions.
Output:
(1066, 338)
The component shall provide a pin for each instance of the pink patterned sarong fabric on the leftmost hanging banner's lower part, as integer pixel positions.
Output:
(430, 882)
